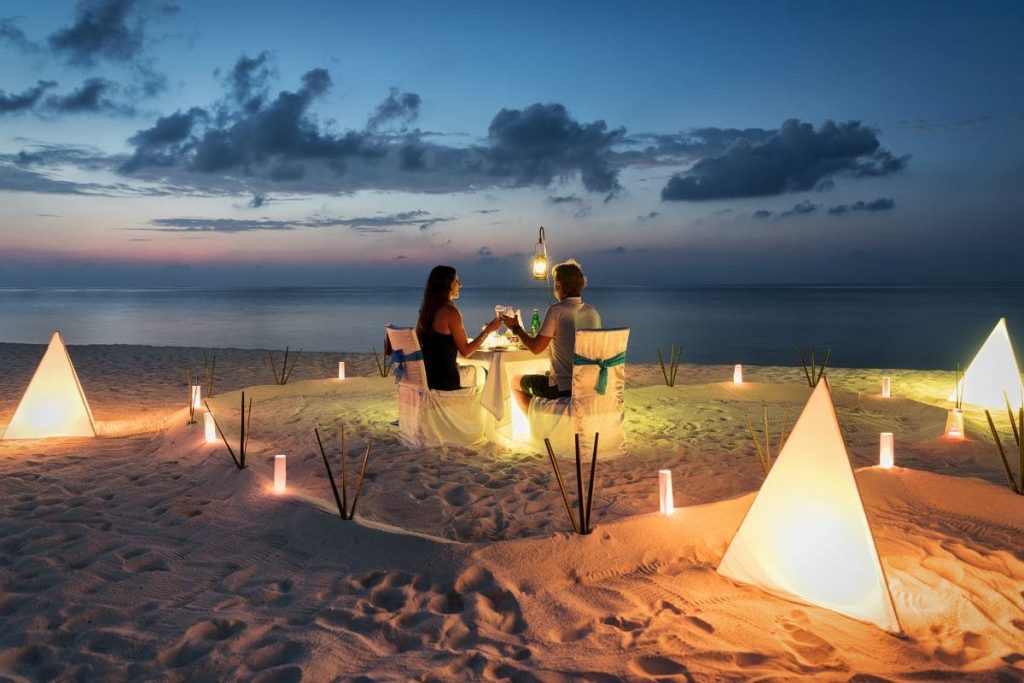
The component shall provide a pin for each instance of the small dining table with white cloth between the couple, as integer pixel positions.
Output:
(510, 425)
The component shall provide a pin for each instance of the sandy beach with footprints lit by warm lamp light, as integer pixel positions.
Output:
(146, 554)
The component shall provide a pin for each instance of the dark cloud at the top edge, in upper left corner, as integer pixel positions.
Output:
(112, 30)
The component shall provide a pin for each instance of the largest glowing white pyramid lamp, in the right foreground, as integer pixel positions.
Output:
(806, 536)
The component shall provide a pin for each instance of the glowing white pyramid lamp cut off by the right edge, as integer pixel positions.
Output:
(993, 372)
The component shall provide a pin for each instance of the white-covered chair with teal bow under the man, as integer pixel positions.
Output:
(589, 410)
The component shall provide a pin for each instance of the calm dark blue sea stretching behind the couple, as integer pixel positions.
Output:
(866, 327)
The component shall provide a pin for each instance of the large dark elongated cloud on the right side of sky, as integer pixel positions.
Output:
(796, 158)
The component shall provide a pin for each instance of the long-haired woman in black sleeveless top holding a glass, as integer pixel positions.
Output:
(442, 332)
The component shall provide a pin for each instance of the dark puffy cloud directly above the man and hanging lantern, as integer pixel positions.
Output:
(542, 144)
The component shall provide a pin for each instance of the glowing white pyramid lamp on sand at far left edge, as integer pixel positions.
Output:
(55, 404)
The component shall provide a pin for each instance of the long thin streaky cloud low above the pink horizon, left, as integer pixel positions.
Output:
(382, 224)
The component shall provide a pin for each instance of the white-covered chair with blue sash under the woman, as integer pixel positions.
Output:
(429, 418)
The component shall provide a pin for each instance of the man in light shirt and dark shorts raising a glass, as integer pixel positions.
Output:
(561, 324)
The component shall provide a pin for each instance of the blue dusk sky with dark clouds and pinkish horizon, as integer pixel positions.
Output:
(170, 144)
